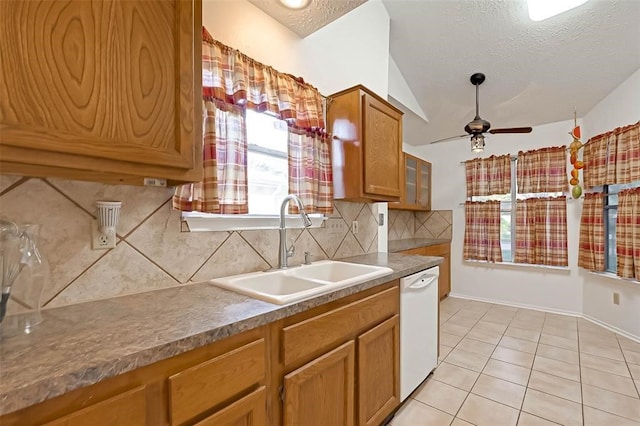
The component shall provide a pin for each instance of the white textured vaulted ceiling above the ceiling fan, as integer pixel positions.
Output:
(537, 72)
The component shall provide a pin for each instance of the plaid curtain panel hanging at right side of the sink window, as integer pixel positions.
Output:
(310, 175)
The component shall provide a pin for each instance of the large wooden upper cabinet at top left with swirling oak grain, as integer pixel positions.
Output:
(101, 90)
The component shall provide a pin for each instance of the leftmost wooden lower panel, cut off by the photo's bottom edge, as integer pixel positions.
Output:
(128, 408)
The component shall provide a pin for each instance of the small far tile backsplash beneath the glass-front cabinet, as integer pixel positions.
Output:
(408, 224)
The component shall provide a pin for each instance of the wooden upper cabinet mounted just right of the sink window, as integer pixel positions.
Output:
(367, 146)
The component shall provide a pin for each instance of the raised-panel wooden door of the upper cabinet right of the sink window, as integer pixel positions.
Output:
(382, 148)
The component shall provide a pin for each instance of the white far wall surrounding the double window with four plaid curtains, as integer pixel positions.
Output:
(543, 288)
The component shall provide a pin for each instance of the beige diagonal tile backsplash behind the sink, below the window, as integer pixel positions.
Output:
(151, 251)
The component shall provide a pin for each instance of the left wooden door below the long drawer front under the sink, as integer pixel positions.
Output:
(321, 393)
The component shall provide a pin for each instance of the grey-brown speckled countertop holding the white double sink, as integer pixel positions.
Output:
(79, 345)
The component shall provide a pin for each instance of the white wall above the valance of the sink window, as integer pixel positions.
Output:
(353, 49)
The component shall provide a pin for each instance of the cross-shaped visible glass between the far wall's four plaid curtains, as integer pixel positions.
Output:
(508, 213)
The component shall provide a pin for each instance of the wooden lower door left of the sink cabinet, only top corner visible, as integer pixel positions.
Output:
(250, 410)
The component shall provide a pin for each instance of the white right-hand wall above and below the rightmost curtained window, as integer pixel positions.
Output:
(619, 108)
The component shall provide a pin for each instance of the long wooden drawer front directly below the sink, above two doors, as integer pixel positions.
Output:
(318, 334)
